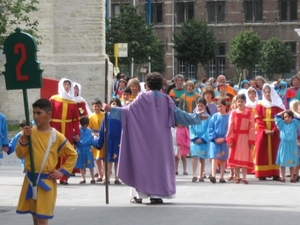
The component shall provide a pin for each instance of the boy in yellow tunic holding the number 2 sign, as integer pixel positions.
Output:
(48, 144)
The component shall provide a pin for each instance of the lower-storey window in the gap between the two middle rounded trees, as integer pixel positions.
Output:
(217, 66)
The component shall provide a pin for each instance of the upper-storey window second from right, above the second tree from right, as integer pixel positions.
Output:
(253, 11)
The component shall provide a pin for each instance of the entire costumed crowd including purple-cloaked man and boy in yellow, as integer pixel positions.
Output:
(251, 129)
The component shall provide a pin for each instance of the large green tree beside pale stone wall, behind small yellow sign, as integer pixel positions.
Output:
(130, 27)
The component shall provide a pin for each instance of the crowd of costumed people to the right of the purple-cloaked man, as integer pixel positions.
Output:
(252, 129)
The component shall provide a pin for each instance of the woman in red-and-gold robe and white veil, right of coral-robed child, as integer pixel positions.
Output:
(267, 138)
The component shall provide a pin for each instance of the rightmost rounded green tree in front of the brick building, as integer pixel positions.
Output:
(276, 57)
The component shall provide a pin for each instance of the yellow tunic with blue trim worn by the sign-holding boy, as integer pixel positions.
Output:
(43, 206)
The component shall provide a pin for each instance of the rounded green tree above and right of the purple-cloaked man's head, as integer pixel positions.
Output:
(196, 43)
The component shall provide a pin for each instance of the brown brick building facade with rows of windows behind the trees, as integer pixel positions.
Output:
(269, 18)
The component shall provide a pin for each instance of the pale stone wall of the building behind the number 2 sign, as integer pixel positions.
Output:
(73, 46)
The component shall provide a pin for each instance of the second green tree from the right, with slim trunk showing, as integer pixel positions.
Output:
(244, 50)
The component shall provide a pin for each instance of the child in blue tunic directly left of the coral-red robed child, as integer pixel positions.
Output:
(218, 150)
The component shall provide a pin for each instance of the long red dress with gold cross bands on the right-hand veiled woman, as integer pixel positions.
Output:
(266, 144)
